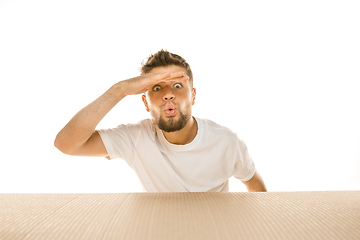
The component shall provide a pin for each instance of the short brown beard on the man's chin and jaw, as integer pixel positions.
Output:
(171, 125)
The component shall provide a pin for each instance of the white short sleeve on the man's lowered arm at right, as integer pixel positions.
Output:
(244, 168)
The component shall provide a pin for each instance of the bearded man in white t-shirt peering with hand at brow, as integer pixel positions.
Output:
(173, 151)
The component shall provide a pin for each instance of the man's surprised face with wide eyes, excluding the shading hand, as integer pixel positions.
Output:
(170, 103)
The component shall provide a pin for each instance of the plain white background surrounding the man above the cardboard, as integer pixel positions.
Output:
(284, 75)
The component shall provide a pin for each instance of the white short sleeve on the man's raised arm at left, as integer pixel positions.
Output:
(118, 142)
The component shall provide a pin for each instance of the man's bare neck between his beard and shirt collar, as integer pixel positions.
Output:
(185, 135)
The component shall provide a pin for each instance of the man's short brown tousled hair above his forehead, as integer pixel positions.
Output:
(164, 58)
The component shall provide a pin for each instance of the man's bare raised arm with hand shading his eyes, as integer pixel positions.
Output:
(79, 137)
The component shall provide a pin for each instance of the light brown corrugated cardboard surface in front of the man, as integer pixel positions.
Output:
(272, 215)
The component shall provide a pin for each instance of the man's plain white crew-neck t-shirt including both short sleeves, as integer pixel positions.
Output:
(204, 165)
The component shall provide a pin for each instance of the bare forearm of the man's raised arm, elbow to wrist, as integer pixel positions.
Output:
(79, 129)
